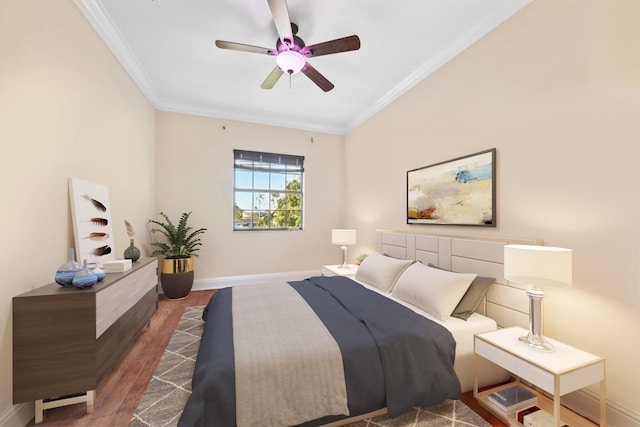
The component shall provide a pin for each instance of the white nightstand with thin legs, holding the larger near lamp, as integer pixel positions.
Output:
(560, 372)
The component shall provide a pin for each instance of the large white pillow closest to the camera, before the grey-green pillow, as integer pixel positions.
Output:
(435, 291)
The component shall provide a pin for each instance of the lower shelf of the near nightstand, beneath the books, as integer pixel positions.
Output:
(566, 415)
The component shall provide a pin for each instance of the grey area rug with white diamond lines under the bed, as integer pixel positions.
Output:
(169, 388)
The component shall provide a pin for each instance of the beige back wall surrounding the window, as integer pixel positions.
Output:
(195, 173)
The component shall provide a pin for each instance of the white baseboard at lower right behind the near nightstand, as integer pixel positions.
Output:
(587, 403)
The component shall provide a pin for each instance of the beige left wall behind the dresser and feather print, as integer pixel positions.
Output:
(67, 109)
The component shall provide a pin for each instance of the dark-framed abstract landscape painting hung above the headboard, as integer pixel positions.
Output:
(459, 191)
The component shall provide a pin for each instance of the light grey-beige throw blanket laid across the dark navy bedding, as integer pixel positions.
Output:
(286, 372)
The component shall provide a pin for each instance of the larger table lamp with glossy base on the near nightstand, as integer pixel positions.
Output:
(537, 266)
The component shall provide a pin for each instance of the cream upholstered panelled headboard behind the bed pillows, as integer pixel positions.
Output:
(506, 302)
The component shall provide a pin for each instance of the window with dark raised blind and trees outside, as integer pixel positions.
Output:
(267, 191)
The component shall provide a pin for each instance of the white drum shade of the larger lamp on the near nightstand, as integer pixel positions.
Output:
(537, 265)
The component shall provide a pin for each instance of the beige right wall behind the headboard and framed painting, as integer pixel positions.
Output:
(556, 90)
